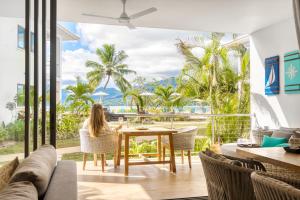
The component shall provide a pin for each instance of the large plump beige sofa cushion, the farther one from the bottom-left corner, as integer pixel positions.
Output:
(37, 168)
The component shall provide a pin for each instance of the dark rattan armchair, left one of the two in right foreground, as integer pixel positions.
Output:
(226, 181)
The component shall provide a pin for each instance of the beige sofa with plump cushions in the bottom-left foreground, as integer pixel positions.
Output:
(41, 176)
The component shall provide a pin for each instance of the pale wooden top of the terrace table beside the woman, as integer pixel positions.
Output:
(150, 131)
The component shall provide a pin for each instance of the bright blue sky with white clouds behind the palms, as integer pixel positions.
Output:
(152, 53)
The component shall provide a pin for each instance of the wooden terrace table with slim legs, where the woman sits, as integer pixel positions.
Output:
(159, 132)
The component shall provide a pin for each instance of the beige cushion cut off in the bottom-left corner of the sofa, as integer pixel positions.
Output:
(19, 191)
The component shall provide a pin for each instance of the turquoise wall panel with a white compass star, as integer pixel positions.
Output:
(292, 72)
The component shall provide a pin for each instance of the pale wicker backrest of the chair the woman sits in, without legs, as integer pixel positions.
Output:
(105, 143)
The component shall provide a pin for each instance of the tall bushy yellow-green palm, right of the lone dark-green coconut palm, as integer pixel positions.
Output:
(204, 73)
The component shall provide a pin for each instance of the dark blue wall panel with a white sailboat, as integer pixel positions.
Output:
(272, 76)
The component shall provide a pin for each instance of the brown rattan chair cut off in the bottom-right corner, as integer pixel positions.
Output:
(273, 187)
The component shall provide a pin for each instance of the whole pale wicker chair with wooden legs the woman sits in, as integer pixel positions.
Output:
(101, 145)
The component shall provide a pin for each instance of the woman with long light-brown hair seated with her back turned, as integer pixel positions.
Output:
(96, 123)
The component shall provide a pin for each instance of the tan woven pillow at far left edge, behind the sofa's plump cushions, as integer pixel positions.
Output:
(6, 172)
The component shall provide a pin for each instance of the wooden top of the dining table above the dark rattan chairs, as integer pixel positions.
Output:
(274, 155)
